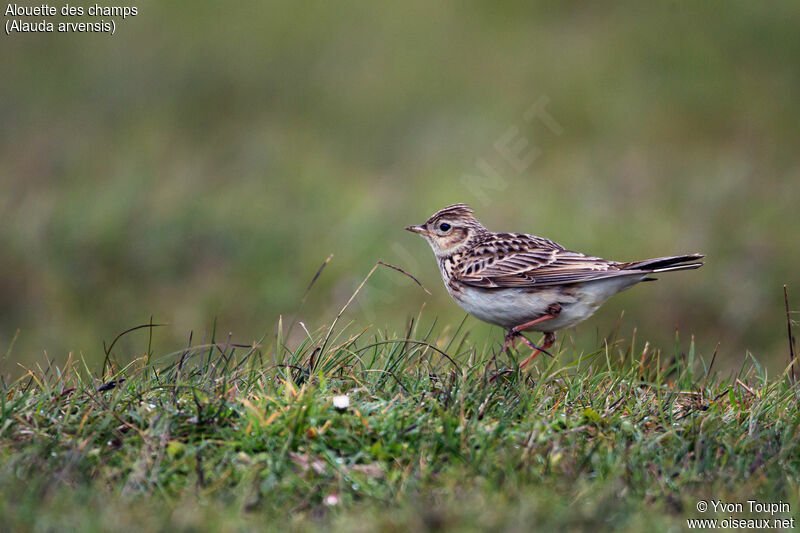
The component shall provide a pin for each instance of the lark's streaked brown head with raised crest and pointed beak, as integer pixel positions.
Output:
(449, 229)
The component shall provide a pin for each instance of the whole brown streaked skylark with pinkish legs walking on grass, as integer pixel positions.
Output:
(528, 283)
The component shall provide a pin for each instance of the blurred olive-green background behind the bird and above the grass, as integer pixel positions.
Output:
(205, 160)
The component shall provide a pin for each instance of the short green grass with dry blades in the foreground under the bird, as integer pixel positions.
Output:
(437, 437)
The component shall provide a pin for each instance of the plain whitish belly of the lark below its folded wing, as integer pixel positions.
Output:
(512, 307)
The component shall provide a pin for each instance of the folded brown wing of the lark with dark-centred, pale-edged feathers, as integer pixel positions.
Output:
(518, 260)
